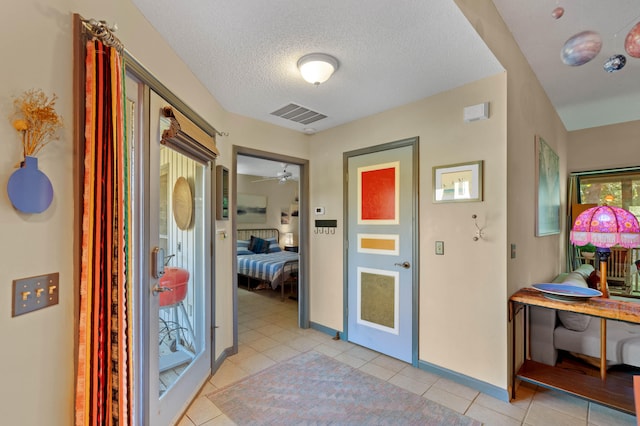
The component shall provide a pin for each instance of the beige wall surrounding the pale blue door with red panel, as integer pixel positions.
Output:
(462, 294)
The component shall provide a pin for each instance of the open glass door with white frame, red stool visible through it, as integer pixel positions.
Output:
(179, 223)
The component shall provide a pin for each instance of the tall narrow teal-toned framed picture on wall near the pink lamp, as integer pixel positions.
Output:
(548, 189)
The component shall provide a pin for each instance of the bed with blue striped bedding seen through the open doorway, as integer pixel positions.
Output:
(270, 266)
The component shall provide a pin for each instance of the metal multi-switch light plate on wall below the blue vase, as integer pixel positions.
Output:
(30, 294)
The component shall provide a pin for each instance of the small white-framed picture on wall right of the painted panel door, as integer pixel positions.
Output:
(460, 182)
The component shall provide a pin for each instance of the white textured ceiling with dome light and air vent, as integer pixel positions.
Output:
(390, 53)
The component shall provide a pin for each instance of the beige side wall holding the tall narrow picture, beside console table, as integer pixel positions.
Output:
(530, 113)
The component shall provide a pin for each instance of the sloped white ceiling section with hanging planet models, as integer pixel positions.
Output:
(584, 96)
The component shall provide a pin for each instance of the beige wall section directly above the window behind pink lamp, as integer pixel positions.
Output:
(604, 147)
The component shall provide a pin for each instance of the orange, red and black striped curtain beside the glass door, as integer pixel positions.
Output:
(105, 373)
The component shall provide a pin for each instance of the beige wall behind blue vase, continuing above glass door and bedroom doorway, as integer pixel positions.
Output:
(38, 360)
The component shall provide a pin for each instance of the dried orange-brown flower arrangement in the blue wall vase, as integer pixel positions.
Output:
(36, 118)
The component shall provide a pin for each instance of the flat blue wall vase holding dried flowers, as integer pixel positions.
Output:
(29, 189)
